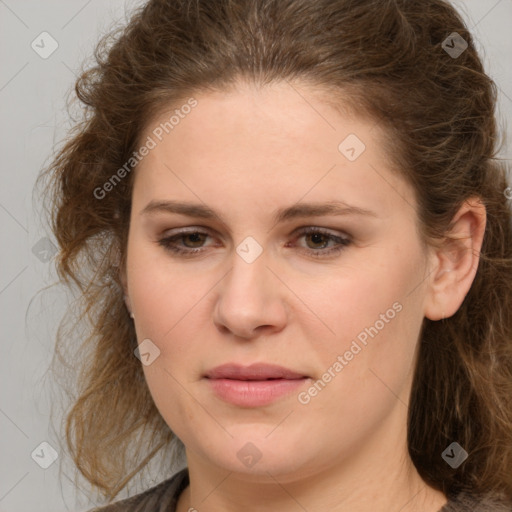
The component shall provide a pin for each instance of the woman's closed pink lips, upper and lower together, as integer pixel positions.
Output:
(255, 385)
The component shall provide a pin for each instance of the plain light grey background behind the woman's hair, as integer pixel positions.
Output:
(33, 92)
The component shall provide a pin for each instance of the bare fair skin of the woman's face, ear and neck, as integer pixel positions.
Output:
(244, 154)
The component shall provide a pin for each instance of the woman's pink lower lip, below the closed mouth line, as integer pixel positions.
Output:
(254, 393)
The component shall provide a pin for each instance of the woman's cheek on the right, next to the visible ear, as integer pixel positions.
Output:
(376, 315)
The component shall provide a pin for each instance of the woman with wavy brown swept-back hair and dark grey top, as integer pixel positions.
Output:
(293, 243)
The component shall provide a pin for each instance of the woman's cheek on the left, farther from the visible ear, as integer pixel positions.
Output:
(167, 307)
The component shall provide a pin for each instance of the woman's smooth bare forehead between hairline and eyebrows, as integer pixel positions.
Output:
(280, 141)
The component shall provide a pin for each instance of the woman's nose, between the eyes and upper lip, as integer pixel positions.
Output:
(251, 300)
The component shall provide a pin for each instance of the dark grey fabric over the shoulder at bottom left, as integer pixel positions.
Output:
(161, 498)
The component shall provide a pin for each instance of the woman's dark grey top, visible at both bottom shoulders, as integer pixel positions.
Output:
(164, 497)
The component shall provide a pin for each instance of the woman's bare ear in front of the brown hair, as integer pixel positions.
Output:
(455, 262)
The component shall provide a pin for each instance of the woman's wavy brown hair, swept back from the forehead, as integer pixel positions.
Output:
(388, 59)
